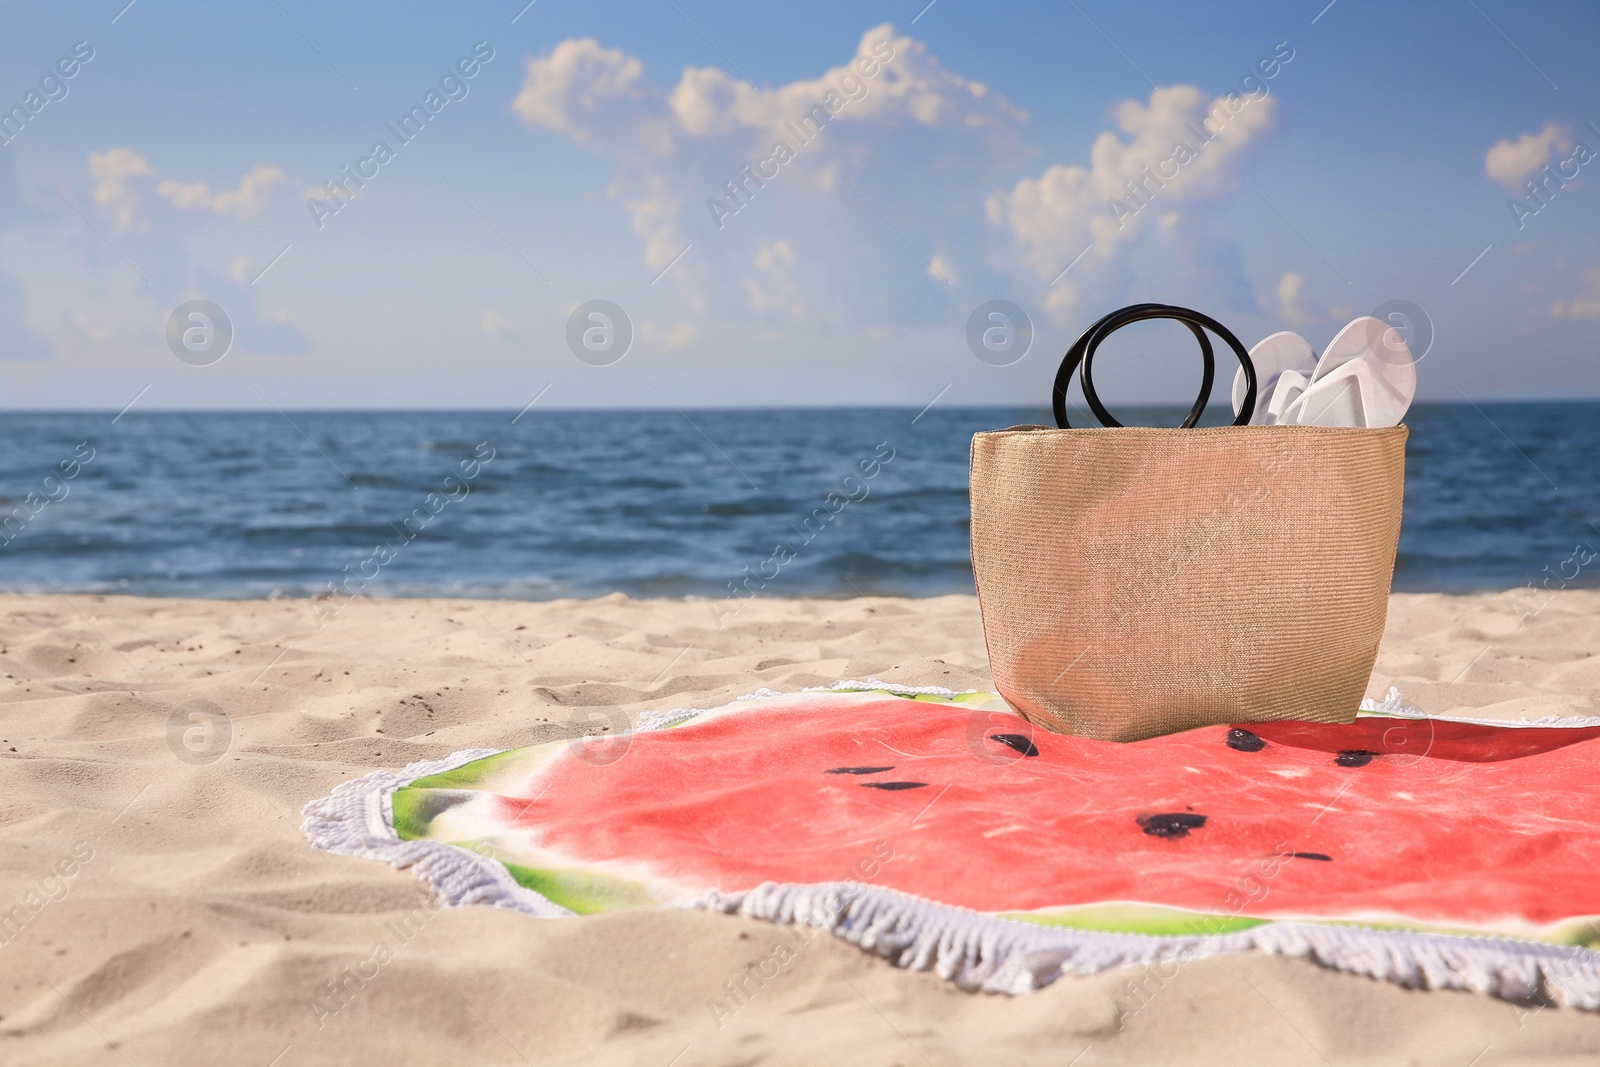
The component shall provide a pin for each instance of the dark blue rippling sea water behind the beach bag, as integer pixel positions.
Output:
(660, 503)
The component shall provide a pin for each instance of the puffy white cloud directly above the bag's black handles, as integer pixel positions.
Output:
(1178, 148)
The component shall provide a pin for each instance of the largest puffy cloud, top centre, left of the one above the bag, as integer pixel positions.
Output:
(794, 198)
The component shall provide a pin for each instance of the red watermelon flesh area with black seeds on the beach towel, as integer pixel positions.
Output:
(1426, 821)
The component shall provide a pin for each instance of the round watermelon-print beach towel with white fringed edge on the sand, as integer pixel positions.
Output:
(943, 831)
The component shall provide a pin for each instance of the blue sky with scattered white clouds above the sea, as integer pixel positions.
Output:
(982, 159)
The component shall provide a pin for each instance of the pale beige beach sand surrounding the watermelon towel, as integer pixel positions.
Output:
(198, 924)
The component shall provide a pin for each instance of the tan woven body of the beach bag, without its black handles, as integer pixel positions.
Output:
(1138, 581)
